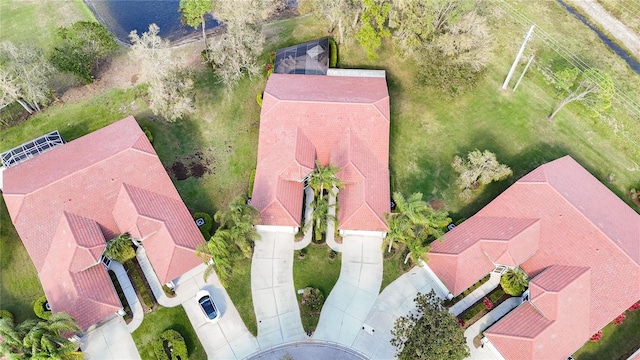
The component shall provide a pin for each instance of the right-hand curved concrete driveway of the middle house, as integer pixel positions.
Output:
(345, 310)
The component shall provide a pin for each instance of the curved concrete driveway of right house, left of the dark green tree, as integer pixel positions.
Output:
(395, 300)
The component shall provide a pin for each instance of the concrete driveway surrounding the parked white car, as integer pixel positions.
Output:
(226, 339)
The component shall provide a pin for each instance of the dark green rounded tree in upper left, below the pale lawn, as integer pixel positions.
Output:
(81, 47)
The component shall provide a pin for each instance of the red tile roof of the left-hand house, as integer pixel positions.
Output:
(78, 184)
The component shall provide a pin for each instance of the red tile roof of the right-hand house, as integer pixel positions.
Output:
(581, 224)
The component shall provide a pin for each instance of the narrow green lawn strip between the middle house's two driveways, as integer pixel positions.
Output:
(316, 271)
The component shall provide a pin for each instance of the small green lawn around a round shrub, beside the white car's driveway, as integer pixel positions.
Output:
(160, 320)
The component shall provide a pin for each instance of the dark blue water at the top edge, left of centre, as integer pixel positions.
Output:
(122, 16)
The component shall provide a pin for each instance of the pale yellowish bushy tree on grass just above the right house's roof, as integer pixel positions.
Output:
(479, 168)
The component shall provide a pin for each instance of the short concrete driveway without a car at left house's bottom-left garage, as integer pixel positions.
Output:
(109, 341)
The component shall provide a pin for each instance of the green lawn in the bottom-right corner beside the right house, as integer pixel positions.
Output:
(618, 341)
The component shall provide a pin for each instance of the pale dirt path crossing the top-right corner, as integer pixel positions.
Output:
(615, 27)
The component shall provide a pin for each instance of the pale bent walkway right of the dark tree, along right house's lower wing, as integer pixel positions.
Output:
(488, 352)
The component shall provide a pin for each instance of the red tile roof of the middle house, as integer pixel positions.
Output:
(339, 120)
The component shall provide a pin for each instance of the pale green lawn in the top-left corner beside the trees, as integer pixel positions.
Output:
(35, 21)
